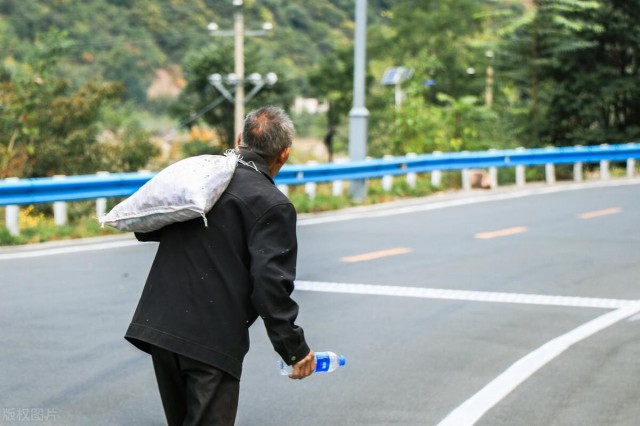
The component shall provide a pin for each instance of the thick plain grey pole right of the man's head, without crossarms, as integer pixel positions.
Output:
(358, 116)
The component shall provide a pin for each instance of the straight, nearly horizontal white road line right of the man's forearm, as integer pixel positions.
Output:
(471, 296)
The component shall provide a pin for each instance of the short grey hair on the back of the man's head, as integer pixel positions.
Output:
(267, 131)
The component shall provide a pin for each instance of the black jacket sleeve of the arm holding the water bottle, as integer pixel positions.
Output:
(273, 249)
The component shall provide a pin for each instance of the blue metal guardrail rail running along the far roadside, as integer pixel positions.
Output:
(46, 190)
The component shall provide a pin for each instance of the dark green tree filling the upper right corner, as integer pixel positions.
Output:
(594, 74)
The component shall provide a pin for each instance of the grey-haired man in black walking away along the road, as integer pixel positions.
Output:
(207, 285)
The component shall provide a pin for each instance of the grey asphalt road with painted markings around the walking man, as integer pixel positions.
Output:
(512, 308)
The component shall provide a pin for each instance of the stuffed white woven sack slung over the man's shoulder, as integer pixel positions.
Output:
(184, 190)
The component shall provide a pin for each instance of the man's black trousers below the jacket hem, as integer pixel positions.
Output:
(194, 393)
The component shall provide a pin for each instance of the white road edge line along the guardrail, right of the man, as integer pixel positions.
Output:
(375, 212)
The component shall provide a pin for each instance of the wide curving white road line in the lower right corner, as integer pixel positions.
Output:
(475, 407)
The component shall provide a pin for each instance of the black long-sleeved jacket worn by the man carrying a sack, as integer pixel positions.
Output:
(207, 285)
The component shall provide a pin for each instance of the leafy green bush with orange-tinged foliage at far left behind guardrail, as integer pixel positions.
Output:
(48, 127)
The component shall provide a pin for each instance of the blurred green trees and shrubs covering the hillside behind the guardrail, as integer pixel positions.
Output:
(118, 85)
